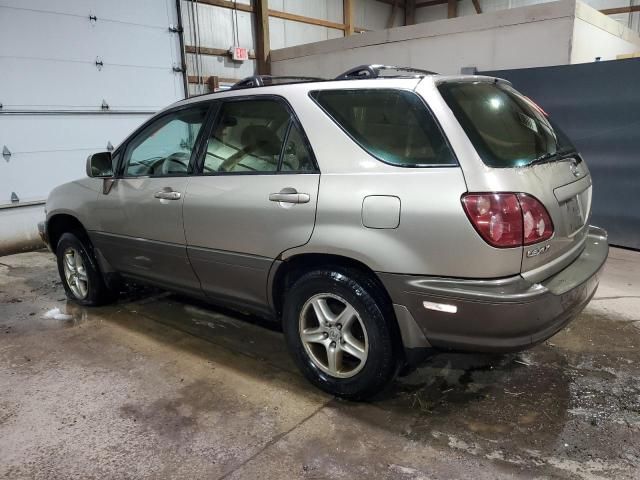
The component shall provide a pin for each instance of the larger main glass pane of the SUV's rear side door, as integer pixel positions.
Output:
(248, 137)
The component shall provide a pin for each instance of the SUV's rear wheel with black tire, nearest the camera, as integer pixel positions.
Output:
(335, 326)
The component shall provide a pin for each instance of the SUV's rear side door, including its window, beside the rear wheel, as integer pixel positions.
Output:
(253, 198)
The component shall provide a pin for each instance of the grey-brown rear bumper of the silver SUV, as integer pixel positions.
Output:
(497, 315)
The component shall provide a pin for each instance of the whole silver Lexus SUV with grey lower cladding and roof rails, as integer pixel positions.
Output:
(376, 216)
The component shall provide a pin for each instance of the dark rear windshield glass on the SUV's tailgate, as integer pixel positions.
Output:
(506, 128)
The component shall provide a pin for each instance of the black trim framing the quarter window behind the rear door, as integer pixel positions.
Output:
(386, 162)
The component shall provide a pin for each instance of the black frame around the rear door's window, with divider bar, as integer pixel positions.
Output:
(215, 117)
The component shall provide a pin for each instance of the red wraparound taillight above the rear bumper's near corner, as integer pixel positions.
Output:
(506, 220)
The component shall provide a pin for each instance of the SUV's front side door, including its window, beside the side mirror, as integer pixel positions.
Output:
(140, 226)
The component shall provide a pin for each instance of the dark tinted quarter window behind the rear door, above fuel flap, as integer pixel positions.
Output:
(394, 126)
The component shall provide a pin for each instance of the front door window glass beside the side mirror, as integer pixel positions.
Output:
(164, 147)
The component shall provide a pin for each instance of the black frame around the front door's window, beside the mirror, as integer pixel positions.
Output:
(124, 147)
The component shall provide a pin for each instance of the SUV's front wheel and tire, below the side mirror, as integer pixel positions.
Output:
(82, 281)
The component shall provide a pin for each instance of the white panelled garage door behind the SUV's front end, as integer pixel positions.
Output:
(59, 61)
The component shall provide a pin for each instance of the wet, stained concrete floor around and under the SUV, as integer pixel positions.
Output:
(161, 387)
